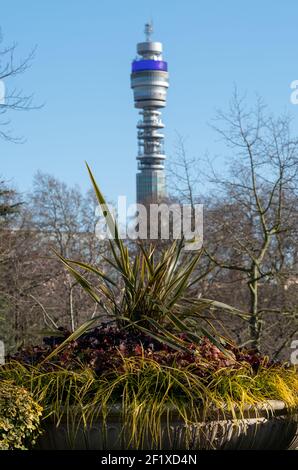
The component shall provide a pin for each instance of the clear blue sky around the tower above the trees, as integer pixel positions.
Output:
(82, 73)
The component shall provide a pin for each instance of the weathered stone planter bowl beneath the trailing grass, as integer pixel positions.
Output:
(270, 426)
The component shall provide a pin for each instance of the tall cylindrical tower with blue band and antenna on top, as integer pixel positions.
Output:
(149, 81)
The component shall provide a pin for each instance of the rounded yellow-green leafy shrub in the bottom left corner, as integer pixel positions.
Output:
(19, 417)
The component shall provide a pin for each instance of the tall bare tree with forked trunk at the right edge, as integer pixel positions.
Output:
(254, 212)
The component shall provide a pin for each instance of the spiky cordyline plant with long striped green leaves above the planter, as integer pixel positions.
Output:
(151, 294)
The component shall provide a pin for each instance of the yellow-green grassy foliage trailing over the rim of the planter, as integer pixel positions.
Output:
(150, 393)
